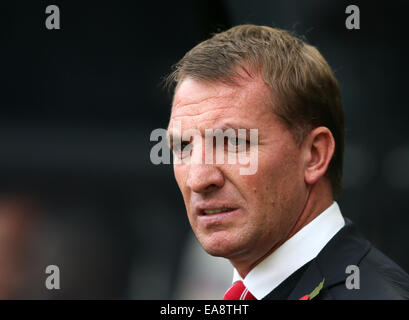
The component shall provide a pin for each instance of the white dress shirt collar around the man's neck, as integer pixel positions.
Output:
(293, 254)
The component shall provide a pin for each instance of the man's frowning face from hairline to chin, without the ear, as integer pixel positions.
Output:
(261, 208)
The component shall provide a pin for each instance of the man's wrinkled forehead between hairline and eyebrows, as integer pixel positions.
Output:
(204, 103)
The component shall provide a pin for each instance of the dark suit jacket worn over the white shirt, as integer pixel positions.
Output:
(380, 278)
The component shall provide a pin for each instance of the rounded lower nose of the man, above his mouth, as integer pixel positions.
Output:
(204, 178)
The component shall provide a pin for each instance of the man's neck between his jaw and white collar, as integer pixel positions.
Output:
(318, 199)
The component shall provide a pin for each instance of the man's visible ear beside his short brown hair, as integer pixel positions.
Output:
(318, 148)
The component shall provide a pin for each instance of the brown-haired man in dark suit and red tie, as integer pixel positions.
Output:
(280, 227)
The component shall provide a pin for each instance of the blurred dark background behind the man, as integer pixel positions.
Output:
(77, 187)
